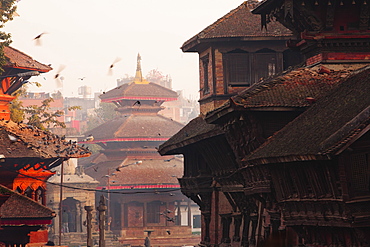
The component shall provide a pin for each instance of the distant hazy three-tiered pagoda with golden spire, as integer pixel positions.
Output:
(142, 188)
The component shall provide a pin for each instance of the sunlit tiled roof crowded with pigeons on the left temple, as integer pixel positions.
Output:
(22, 141)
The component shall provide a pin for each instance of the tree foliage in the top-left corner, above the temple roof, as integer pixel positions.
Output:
(7, 9)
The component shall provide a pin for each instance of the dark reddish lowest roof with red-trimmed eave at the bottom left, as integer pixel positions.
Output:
(17, 209)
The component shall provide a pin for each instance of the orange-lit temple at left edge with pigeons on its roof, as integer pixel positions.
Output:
(26, 156)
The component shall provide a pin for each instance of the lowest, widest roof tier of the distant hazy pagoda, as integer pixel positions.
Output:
(162, 170)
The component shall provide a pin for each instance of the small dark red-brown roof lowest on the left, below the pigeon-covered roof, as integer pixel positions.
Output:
(15, 205)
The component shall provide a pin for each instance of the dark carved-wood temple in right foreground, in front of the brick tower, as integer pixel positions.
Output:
(285, 162)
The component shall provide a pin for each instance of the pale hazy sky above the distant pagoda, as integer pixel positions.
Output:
(86, 36)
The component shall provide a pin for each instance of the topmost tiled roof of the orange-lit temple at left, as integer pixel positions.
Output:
(18, 59)
